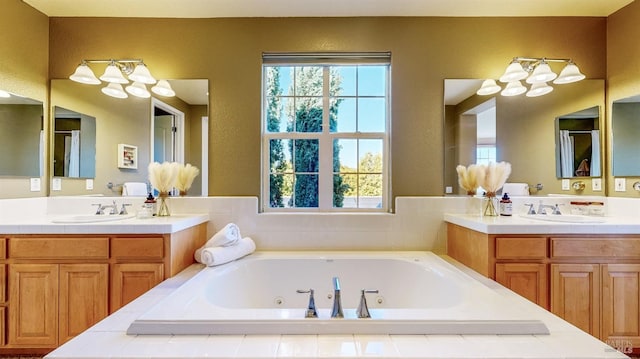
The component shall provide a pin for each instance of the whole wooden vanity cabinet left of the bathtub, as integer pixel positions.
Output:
(53, 287)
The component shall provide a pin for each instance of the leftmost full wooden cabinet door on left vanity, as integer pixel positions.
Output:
(33, 305)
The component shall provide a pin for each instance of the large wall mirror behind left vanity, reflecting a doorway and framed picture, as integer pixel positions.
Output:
(129, 122)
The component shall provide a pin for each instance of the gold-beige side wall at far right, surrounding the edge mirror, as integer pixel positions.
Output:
(623, 72)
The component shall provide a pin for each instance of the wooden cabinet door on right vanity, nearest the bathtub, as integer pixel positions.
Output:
(527, 279)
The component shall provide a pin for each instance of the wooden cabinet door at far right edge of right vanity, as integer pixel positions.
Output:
(620, 303)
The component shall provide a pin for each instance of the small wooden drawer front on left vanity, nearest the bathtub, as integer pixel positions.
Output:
(137, 248)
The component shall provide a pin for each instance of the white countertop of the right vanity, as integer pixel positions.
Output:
(517, 224)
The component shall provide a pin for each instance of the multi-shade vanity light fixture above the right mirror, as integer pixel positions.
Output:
(535, 71)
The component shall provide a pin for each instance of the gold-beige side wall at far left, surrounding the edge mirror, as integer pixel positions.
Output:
(24, 63)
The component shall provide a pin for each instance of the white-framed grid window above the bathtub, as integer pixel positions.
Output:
(325, 133)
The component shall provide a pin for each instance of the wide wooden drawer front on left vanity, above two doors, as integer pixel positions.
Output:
(58, 248)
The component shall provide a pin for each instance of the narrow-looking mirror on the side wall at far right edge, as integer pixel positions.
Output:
(625, 137)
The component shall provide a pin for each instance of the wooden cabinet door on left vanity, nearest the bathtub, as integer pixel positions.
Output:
(130, 280)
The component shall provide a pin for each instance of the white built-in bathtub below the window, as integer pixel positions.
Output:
(418, 293)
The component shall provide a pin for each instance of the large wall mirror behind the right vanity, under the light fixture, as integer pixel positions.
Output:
(520, 130)
